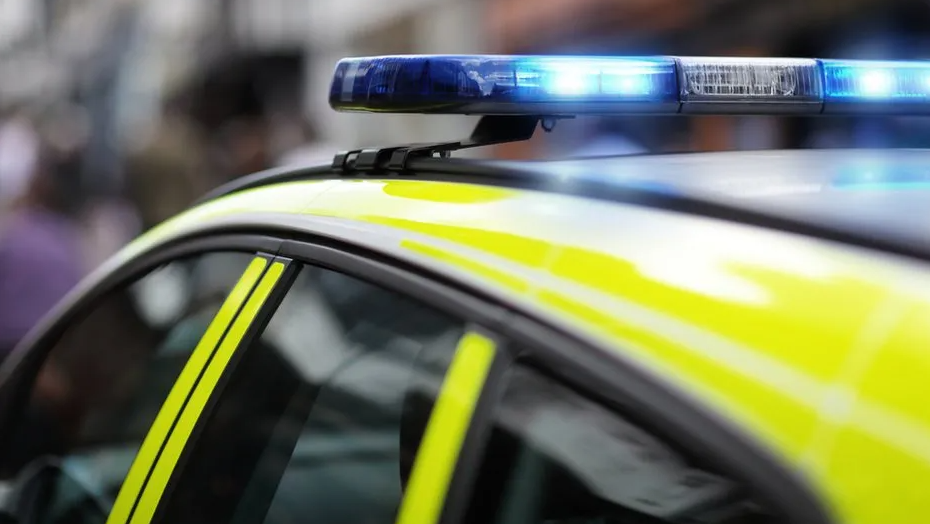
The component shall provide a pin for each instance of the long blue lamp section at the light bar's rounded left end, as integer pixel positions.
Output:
(505, 85)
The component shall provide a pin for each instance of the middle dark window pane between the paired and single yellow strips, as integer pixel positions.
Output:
(321, 418)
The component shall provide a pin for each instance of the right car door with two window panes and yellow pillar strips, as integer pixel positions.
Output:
(359, 391)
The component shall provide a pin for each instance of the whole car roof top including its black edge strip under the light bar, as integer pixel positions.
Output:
(867, 198)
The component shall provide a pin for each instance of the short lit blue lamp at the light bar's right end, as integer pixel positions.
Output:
(875, 86)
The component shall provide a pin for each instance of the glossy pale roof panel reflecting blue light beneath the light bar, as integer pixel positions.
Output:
(880, 194)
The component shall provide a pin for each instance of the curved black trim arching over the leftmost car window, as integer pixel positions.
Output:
(22, 365)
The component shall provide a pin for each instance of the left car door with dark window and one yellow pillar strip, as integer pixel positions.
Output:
(89, 402)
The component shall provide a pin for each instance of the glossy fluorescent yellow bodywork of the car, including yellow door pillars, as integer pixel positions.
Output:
(813, 349)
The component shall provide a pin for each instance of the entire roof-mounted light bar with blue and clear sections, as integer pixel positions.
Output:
(562, 85)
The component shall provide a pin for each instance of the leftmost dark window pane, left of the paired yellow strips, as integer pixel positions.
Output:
(102, 385)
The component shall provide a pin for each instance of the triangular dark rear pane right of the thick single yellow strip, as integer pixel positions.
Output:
(557, 457)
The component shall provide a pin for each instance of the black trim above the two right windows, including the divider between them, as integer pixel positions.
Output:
(575, 359)
